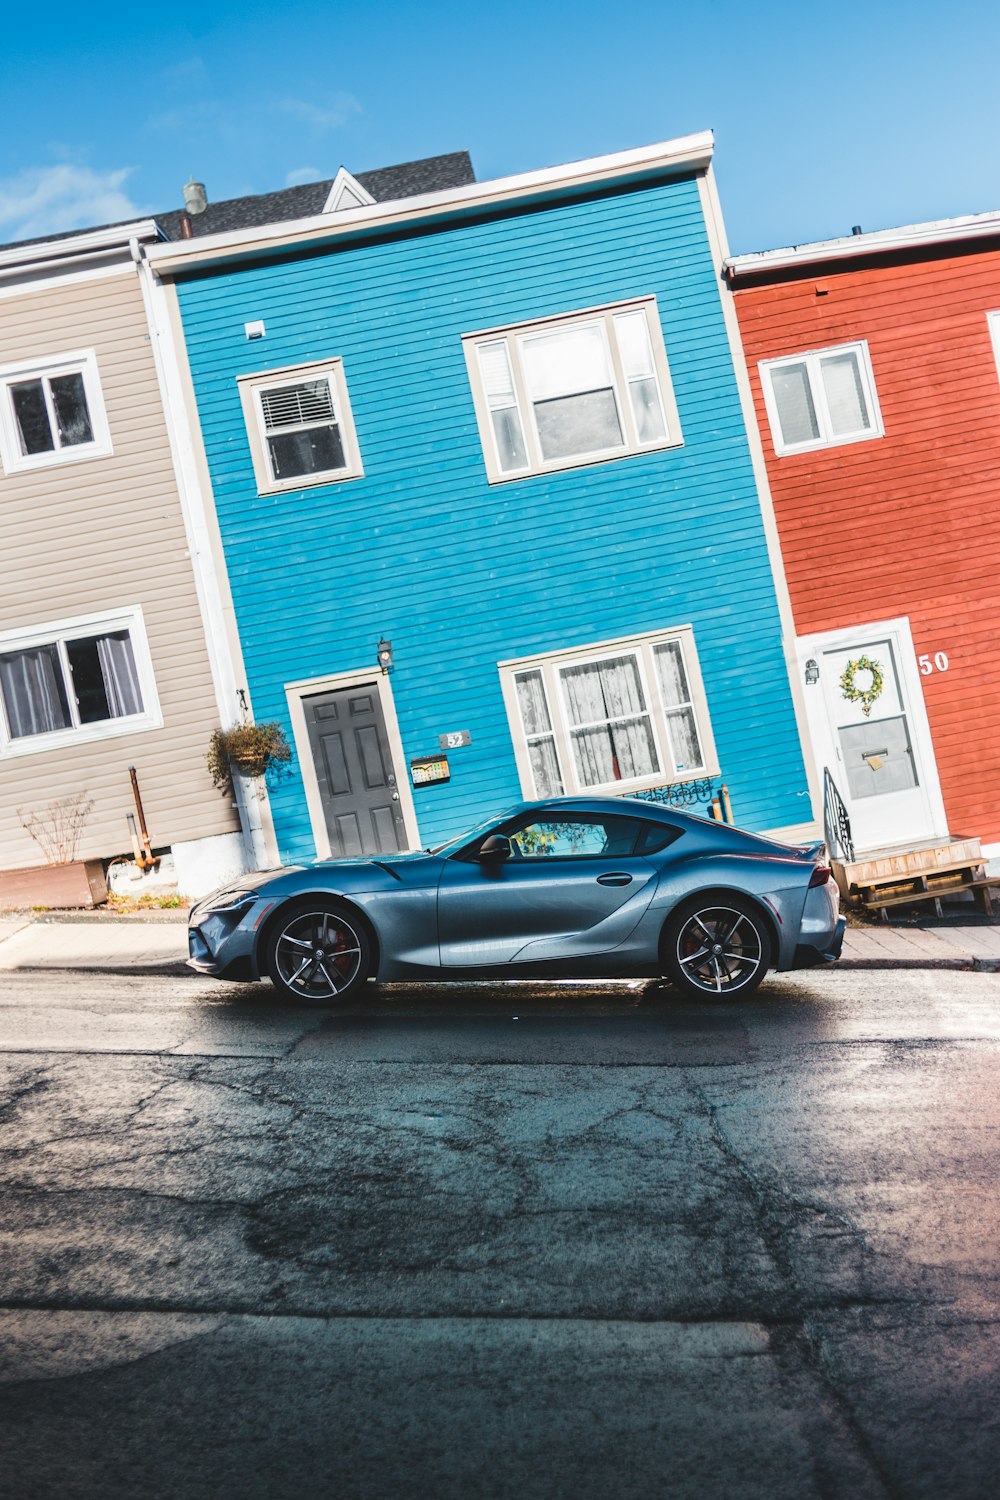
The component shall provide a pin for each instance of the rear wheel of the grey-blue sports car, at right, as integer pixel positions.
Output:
(717, 949)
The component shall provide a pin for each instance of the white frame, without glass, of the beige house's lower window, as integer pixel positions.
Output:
(53, 634)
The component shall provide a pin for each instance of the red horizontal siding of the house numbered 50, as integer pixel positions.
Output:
(908, 524)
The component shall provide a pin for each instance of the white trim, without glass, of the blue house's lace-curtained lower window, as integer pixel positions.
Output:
(642, 647)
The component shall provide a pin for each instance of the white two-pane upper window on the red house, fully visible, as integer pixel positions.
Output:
(821, 400)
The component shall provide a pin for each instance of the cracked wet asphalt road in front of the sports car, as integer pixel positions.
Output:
(533, 1243)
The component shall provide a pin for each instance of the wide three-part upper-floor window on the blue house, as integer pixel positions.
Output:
(576, 389)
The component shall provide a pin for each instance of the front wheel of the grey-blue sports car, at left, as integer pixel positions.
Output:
(319, 953)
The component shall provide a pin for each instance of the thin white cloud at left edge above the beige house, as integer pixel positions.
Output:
(49, 200)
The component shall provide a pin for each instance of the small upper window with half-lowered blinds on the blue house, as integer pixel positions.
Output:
(301, 428)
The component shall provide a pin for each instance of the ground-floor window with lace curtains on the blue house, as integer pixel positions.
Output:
(623, 716)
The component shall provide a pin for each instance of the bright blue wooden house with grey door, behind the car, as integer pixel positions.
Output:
(491, 517)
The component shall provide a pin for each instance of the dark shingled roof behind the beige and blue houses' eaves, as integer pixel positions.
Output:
(386, 184)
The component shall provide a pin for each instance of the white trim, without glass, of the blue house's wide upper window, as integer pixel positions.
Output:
(536, 463)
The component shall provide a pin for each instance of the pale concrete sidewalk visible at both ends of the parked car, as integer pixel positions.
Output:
(142, 944)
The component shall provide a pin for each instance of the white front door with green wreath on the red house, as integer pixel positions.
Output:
(876, 743)
